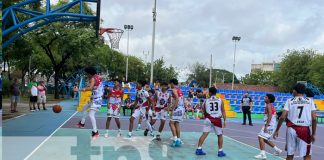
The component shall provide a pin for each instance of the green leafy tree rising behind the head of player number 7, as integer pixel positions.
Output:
(294, 67)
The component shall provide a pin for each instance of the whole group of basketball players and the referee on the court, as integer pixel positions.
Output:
(167, 99)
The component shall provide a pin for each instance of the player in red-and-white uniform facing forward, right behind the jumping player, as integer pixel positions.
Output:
(114, 105)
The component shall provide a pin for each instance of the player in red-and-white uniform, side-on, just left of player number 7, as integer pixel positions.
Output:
(268, 128)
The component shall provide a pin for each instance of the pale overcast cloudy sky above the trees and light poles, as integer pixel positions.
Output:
(190, 30)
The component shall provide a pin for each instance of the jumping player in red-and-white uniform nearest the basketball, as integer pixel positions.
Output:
(95, 85)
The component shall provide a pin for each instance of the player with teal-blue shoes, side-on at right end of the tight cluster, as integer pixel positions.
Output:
(177, 112)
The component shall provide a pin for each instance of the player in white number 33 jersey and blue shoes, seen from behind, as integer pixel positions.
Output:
(213, 109)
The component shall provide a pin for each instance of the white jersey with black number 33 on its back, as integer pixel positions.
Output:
(213, 107)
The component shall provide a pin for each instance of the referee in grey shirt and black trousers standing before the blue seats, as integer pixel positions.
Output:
(246, 107)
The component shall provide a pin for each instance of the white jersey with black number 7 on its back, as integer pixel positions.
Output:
(300, 110)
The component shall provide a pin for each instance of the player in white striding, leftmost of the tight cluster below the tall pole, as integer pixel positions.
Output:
(141, 104)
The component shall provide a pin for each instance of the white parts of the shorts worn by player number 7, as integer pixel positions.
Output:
(296, 144)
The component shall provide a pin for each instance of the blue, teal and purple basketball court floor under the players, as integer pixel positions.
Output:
(53, 136)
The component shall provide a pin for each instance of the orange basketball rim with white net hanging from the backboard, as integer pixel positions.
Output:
(114, 35)
